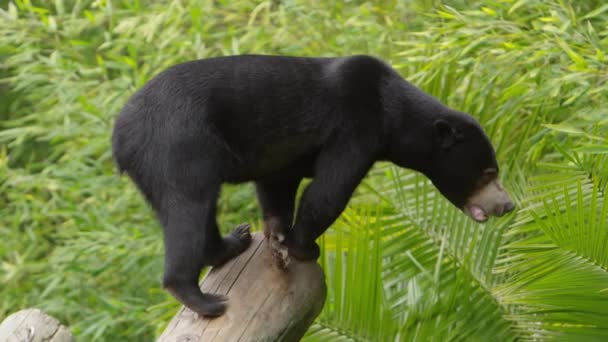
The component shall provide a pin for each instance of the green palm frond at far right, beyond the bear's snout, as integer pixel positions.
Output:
(556, 257)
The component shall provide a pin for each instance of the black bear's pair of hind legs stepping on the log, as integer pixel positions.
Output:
(192, 241)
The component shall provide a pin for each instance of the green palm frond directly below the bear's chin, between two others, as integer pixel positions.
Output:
(458, 253)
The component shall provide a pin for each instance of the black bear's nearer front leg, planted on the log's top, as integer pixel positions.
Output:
(338, 171)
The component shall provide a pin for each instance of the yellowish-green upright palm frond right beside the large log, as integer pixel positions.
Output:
(353, 256)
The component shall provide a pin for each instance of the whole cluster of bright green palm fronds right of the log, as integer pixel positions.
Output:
(443, 277)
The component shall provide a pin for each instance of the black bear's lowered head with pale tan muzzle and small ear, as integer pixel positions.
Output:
(464, 167)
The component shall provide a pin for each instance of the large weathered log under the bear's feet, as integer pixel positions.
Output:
(265, 303)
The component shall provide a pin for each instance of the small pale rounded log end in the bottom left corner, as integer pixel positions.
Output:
(33, 325)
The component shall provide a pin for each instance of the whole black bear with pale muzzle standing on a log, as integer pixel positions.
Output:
(275, 120)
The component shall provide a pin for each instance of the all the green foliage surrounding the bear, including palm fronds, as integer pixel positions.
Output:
(402, 264)
